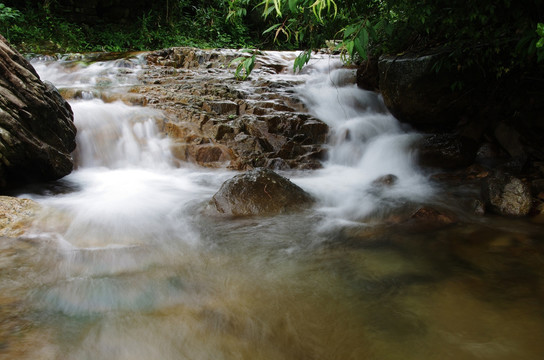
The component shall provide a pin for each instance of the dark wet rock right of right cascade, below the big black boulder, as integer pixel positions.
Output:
(446, 151)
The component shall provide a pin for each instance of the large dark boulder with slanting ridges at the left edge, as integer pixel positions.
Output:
(37, 133)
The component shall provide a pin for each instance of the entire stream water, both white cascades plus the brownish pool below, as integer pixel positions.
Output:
(126, 261)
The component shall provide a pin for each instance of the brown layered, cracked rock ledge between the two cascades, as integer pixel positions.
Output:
(256, 123)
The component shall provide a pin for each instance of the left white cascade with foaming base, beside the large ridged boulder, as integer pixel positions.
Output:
(127, 189)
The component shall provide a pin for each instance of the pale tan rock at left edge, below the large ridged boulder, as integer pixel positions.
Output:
(16, 215)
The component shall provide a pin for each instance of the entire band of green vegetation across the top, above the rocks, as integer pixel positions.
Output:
(495, 37)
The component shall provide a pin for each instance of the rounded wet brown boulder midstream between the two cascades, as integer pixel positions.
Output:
(259, 192)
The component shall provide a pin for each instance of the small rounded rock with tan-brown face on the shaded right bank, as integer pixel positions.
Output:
(506, 195)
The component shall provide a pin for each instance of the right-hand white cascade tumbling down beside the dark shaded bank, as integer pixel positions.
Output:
(371, 165)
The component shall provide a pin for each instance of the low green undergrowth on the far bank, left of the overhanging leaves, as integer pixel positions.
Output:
(45, 27)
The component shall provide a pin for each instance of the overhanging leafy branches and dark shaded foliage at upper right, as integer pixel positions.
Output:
(495, 37)
